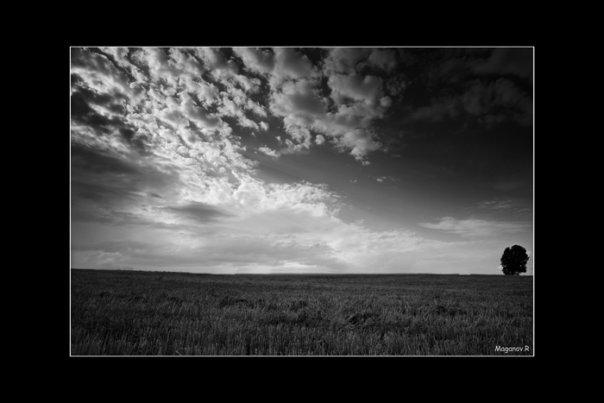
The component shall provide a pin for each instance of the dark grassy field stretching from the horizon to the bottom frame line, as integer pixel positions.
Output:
(151, 313)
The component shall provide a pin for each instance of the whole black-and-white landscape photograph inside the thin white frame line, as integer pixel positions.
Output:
(301, 201)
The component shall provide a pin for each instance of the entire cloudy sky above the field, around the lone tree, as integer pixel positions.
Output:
(301, 160)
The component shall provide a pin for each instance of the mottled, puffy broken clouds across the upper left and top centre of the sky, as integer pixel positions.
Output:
(195, 102)
